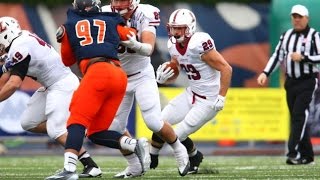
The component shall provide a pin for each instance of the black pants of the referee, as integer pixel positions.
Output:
(299, 96)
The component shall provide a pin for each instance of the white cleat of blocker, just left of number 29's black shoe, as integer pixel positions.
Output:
(183, 162)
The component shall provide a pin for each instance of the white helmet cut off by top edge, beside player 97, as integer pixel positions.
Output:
(123, 7)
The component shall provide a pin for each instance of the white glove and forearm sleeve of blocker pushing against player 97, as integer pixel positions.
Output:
(144, 49)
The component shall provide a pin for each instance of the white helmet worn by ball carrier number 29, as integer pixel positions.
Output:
(182, 18)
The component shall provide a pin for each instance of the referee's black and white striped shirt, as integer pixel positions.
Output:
(307, 43)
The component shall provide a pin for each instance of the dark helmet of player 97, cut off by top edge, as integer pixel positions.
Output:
(87, 5)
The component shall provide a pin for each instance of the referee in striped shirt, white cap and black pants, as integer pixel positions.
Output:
(298, 51)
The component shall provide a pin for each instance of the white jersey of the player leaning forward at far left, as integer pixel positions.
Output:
(45, 65)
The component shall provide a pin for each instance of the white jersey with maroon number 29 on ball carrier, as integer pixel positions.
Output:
(203, 79)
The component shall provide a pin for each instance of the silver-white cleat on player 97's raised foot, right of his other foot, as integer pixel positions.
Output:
(142, 152)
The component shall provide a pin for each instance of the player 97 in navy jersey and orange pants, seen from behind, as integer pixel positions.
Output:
(91, 39)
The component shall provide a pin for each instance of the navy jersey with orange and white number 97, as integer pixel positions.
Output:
(93, 34)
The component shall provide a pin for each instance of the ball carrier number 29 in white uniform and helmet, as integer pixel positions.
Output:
(209, 77)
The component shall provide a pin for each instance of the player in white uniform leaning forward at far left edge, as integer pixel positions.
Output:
(48, 108)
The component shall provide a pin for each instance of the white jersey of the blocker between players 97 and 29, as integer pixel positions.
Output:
(145, 18)
